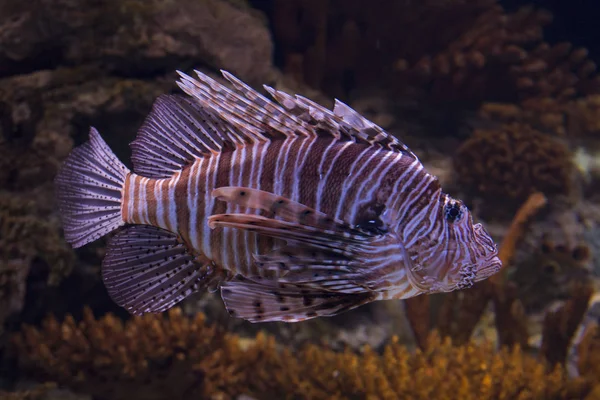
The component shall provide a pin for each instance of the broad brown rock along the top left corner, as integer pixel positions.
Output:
(135, 37)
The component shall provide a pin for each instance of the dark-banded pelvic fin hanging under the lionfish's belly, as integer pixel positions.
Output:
(267, 300)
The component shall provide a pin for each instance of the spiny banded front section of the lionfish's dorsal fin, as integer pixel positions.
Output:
(245, 107)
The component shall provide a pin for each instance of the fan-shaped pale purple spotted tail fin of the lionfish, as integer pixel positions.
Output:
(89, 191)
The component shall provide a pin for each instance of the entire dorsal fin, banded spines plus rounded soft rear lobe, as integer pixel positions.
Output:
(180, 130)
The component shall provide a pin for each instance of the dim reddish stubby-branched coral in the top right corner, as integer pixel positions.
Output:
(499, 55)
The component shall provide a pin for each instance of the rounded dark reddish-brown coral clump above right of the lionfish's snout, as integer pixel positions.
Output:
(512, 162)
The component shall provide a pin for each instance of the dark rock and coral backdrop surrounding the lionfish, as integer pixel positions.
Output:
(496, 98)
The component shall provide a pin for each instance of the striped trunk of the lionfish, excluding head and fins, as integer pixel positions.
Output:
(351, 182)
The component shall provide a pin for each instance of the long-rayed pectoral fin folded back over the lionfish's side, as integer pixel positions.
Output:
(336, 258)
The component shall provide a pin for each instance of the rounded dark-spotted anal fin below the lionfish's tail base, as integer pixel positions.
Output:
(148, 269)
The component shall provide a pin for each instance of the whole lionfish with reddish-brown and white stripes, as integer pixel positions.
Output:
(289, 209)
